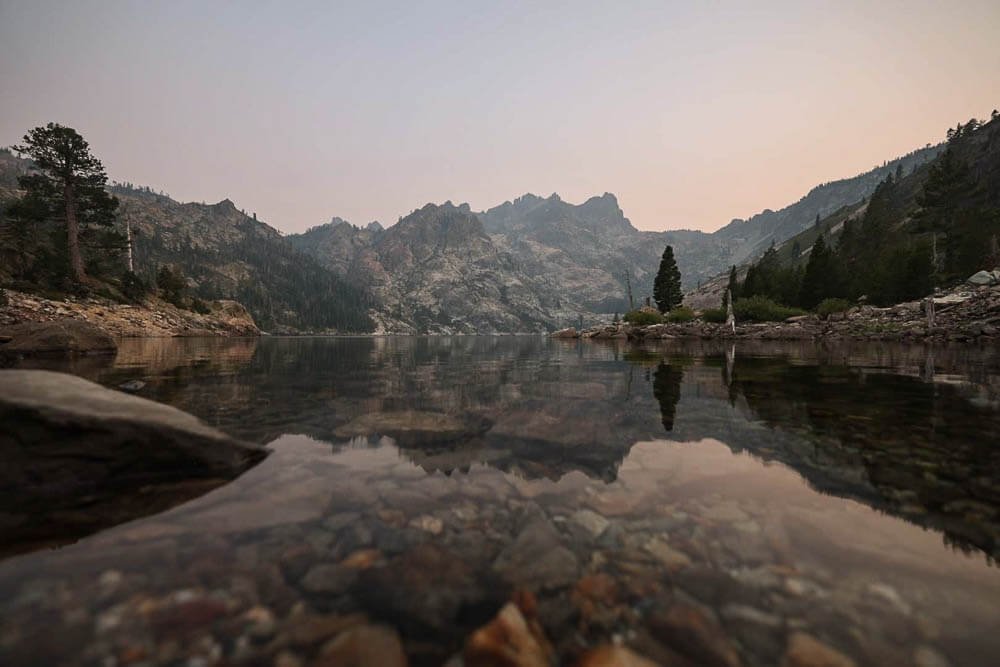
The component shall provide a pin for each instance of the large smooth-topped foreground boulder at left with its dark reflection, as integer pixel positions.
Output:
(65, 441)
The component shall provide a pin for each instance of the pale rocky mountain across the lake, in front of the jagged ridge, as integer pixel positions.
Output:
(435, 271)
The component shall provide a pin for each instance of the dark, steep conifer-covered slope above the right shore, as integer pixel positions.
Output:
(932, 226)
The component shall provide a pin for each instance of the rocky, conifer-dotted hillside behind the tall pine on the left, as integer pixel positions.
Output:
(216, 251)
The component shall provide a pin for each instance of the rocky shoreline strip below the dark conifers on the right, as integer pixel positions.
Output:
(966, 314)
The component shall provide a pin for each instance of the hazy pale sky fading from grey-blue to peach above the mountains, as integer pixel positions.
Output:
(692, 113)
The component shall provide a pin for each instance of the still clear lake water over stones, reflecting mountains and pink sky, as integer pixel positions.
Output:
(703, 503)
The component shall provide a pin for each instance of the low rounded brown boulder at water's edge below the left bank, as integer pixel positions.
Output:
(58, 338)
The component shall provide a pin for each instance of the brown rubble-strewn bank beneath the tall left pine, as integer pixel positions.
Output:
(153, 318)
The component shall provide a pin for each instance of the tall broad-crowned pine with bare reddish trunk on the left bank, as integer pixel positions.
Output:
(68, 186)
